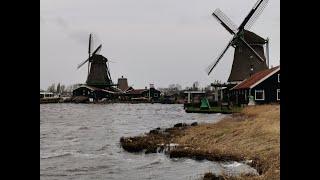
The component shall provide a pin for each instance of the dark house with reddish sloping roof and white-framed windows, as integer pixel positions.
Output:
(263, 86)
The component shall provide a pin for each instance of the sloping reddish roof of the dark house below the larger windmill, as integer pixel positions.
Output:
(256, 78)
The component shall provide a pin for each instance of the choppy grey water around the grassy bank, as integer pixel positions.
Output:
(81, 141)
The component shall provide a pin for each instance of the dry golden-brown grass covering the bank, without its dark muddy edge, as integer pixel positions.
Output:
(252, 135)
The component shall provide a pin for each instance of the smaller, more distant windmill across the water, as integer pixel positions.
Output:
(98, 68)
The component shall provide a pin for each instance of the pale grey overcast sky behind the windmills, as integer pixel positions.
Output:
(148, 41)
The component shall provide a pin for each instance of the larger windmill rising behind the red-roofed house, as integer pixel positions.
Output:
(249, 47)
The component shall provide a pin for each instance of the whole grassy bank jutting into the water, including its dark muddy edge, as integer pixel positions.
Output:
(253, 135)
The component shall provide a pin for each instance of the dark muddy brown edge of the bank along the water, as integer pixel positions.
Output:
(163, 140)
